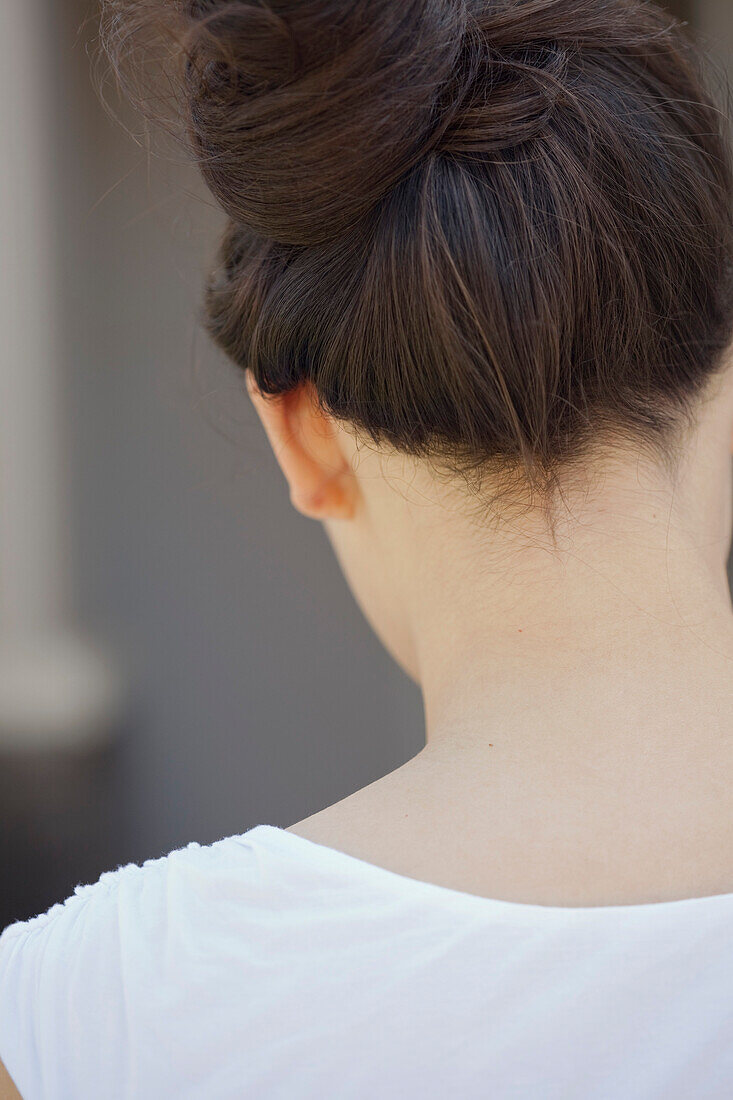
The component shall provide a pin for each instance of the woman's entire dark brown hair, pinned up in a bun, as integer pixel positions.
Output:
(489, 232)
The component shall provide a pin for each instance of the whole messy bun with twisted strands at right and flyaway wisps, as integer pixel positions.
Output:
(304, 114)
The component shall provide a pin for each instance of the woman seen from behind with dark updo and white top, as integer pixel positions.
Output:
(478, 276)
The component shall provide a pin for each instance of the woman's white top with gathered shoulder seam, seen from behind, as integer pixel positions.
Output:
(268, 966)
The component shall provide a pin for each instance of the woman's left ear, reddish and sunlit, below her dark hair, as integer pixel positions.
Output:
(305, 442)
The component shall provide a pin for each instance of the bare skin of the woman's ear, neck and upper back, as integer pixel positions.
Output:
(578, 696)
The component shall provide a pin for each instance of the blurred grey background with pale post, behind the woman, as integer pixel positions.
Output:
(180, 656)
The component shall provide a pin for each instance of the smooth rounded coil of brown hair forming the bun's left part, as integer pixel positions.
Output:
(305, 113)
